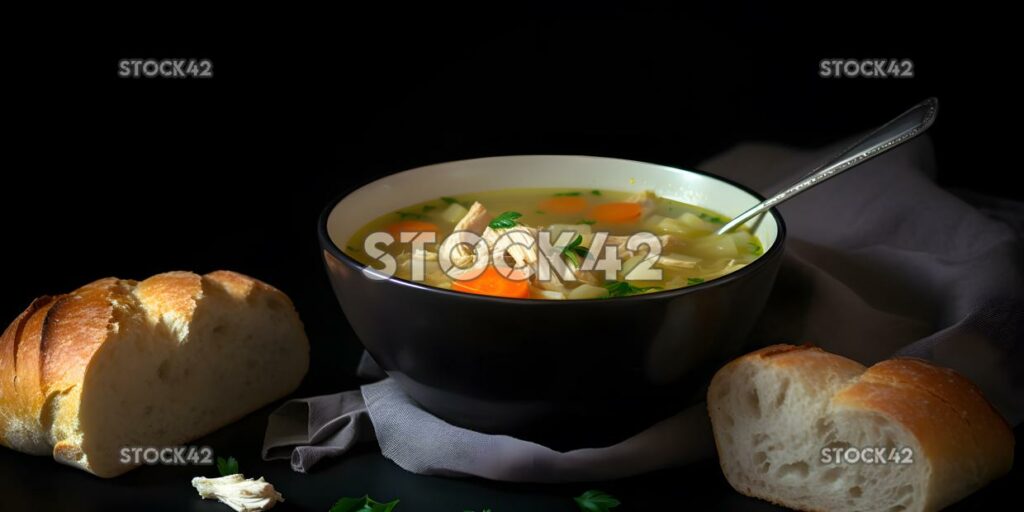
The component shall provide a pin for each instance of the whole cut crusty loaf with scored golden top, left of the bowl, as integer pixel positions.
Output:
(123, 364)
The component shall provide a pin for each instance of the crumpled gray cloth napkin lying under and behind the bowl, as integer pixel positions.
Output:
(879, 263)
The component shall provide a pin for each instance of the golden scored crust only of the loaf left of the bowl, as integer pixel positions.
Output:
(47, 352)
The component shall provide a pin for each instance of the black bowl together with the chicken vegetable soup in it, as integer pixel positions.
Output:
(567, 298)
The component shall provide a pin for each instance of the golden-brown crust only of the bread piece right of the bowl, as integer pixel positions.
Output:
(958, 434)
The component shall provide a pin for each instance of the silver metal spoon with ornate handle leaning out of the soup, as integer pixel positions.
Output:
(909, 125)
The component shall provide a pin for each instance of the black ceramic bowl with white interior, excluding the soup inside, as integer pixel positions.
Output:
(543, 369)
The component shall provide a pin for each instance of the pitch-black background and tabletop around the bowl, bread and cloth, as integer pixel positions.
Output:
(132, 178)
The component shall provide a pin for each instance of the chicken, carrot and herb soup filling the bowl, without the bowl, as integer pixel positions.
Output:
(689, 252)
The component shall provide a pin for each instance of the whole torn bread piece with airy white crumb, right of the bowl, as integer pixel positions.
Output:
(785, 417)
